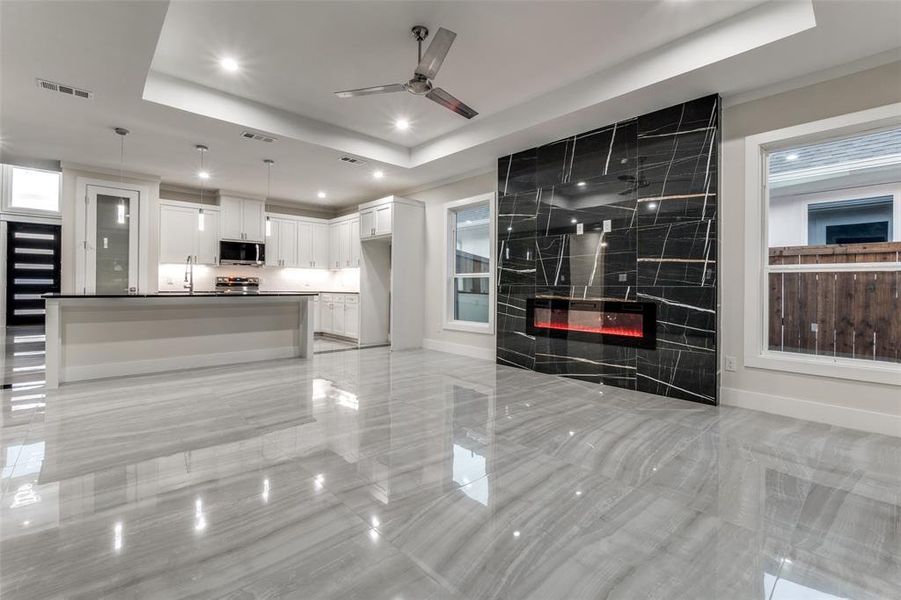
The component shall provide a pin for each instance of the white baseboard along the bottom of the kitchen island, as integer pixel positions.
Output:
(174, 363)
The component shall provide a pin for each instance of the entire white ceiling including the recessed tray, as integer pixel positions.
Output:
(561, 67)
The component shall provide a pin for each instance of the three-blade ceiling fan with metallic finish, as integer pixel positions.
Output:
(421, 84)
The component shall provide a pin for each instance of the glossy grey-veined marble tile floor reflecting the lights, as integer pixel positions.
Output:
(380, 475)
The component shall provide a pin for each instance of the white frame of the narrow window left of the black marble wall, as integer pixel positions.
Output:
(450, 275)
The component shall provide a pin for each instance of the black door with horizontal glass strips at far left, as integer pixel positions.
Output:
(33, 267)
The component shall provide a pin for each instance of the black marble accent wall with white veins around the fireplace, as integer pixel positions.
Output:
(644, 193)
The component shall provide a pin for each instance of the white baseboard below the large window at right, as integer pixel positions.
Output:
(842, 416)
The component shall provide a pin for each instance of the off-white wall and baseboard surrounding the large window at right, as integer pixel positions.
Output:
(841, 402)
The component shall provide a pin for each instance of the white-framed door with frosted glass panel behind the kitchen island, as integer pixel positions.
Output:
(109, 246)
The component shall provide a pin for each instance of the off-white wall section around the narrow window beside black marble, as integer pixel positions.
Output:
(435, 336)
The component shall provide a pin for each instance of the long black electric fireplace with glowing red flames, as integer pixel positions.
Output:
(608, 322)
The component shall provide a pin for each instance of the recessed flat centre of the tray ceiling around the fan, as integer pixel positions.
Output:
(294, 55)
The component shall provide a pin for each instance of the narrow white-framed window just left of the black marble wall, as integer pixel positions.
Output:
(470, 282)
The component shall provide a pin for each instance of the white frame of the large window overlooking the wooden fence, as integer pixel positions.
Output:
(757, 268)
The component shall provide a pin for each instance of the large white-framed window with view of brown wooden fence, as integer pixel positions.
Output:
(827, 249)
